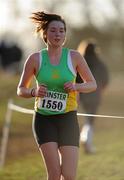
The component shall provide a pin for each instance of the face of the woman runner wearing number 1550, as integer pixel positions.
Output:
(56, 33)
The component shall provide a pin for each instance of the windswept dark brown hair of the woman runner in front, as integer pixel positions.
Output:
(42, 21)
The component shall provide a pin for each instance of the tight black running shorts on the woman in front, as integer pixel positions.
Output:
(61, 128)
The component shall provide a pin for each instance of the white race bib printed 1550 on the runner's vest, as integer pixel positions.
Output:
(53, 101)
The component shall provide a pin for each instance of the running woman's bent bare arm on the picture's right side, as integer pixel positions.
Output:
(80, 66)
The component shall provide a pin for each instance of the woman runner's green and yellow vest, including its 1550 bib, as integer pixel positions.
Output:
(56, 101)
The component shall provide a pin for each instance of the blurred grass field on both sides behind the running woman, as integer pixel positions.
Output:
(23, 161)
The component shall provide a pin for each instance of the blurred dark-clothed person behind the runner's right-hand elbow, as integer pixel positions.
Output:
(91, 101)
